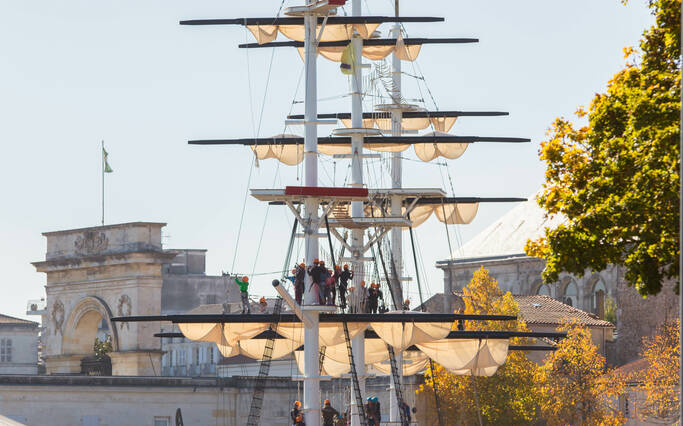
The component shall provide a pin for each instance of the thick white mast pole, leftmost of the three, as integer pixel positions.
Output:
(311, 379)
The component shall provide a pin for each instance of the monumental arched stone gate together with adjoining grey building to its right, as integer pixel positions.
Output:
(118, 270)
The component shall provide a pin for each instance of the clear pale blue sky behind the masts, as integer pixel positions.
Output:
(75, 72)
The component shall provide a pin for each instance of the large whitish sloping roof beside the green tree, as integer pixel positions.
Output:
(509, 234)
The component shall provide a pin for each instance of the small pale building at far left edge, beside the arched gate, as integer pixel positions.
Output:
(18, 346)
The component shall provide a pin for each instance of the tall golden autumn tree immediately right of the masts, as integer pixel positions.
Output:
(507, 398)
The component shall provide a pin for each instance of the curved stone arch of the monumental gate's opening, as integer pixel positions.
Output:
(81, 327)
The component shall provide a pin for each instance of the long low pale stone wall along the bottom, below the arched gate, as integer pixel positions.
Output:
(138, 401)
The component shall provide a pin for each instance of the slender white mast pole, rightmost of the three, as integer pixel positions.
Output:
(396, 207)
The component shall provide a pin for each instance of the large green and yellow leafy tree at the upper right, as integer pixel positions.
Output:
(616, 179)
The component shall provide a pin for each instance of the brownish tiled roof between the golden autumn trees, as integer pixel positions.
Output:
(542, 309)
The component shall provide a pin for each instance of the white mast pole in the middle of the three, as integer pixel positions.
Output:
(358, 342)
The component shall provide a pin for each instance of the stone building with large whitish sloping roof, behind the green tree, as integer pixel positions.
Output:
(500, 249)
